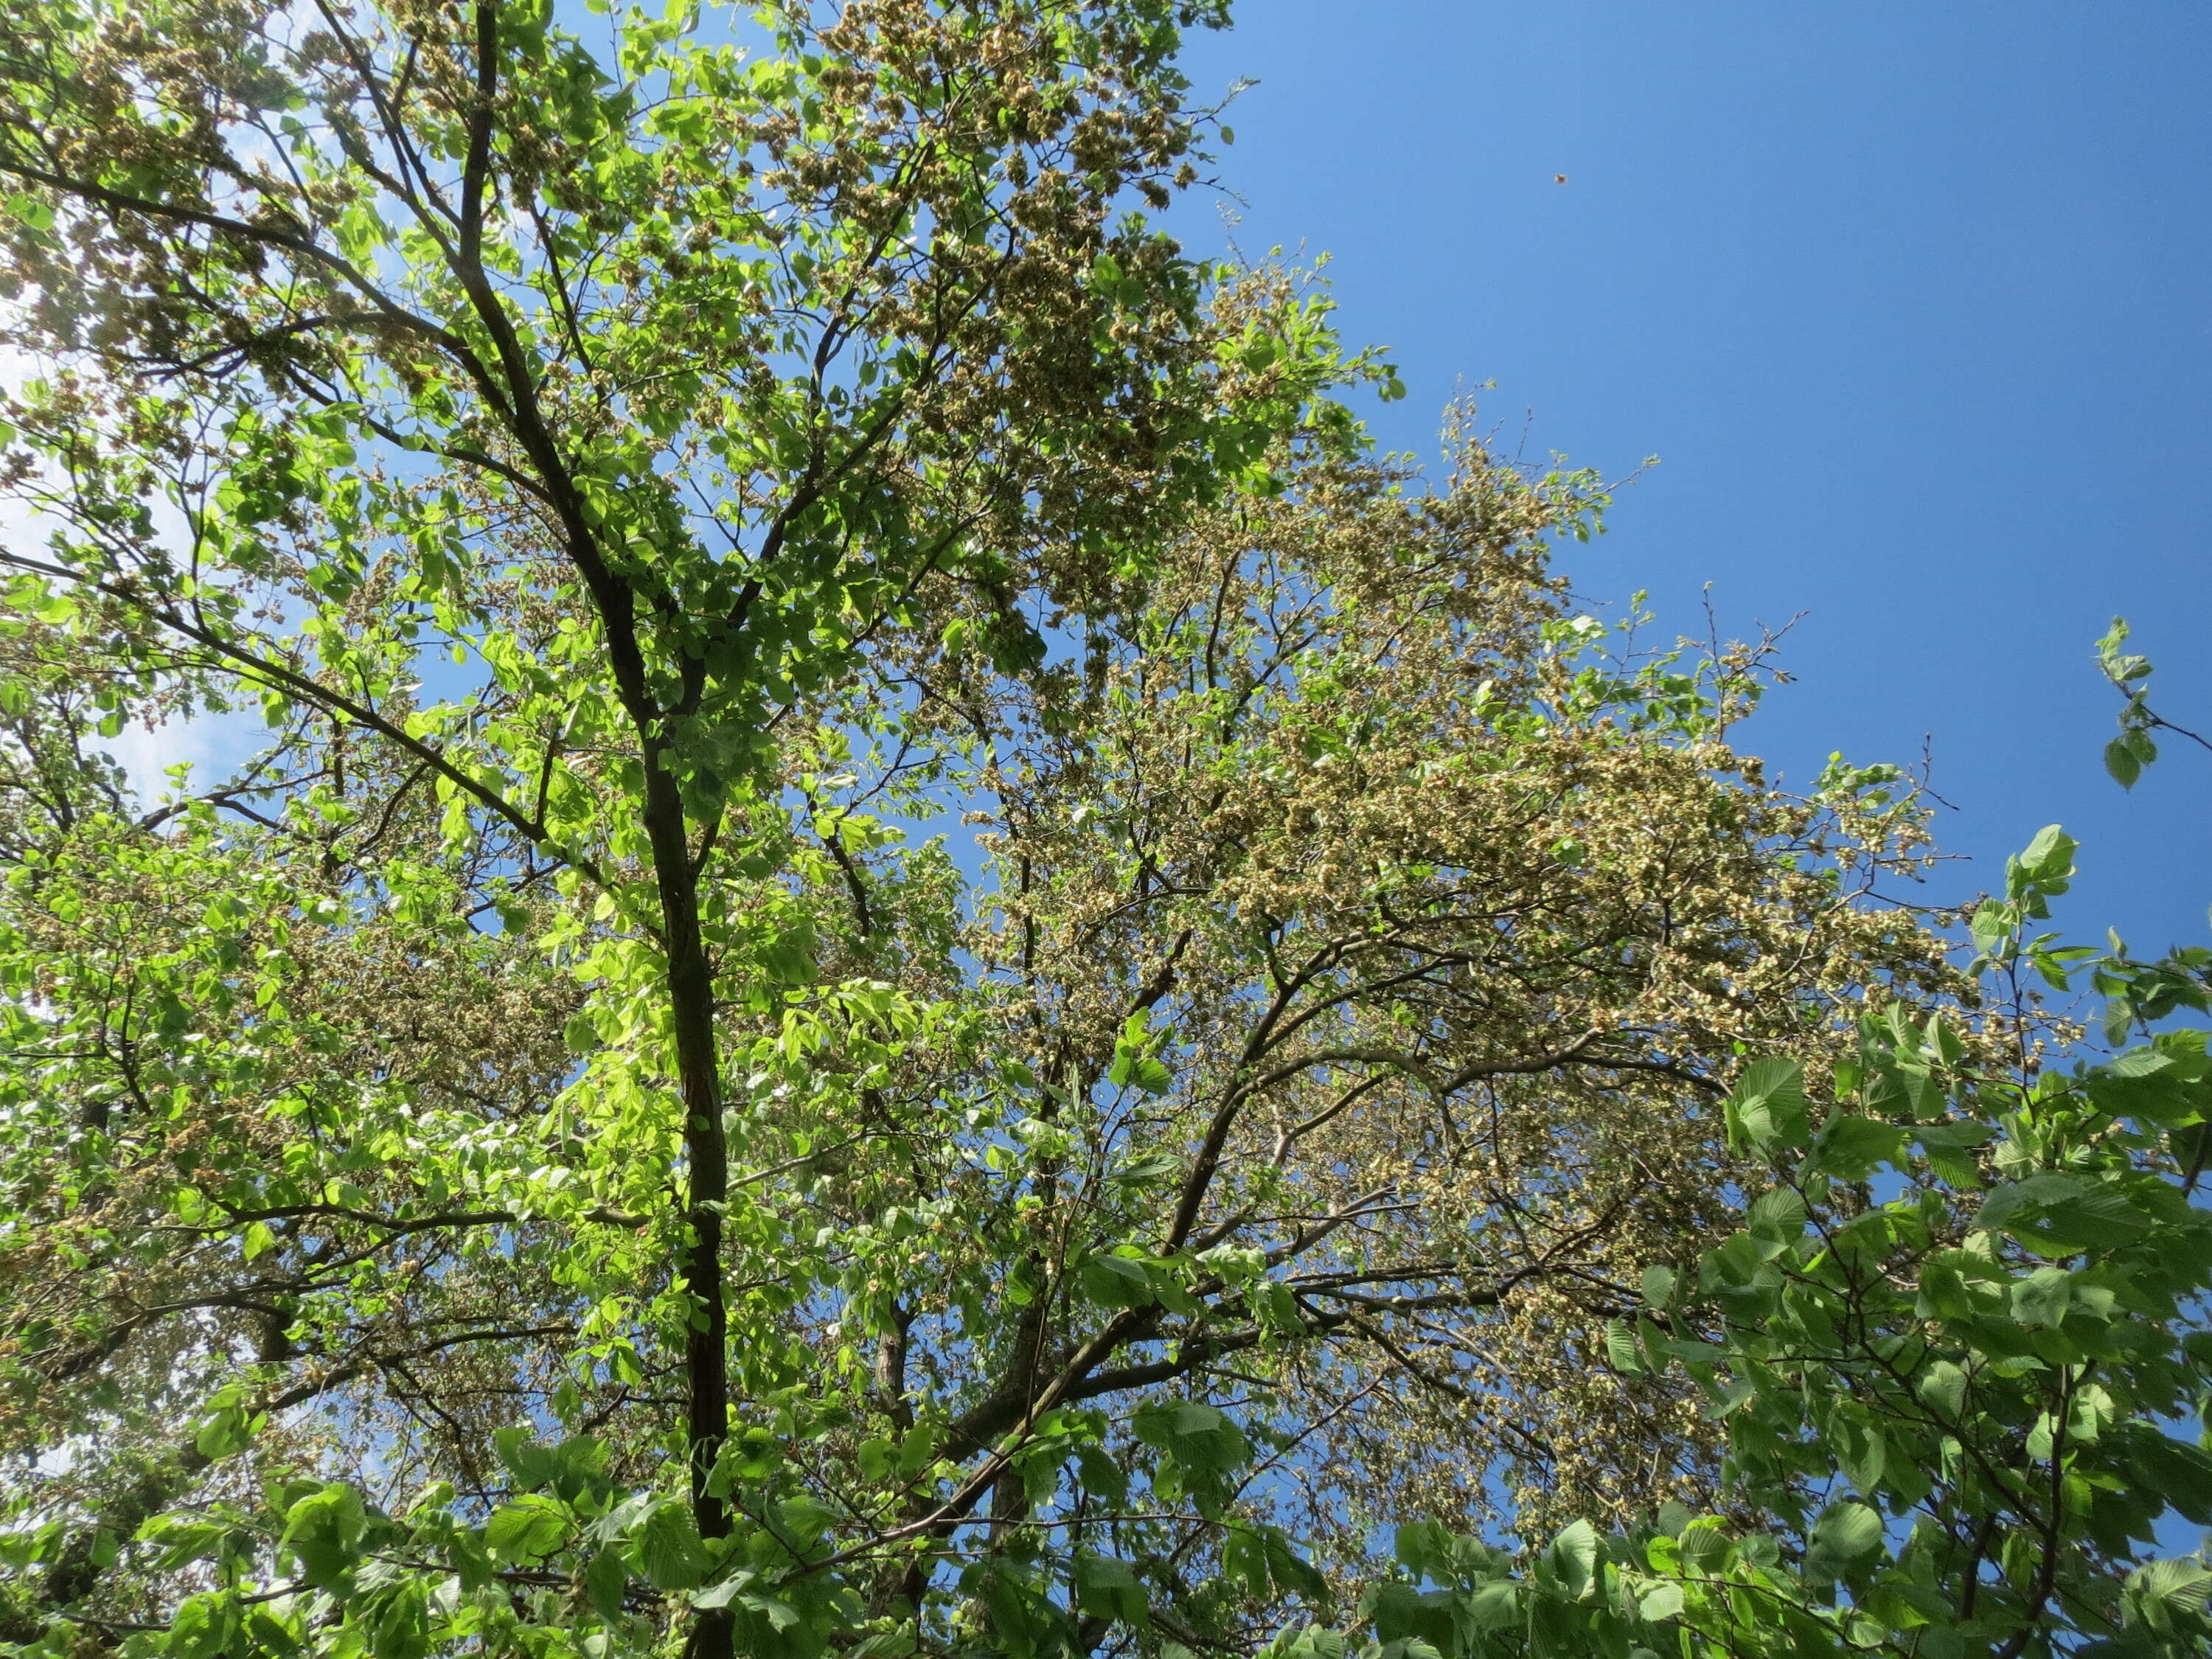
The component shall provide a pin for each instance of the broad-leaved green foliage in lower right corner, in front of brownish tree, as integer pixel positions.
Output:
(1959, 1350)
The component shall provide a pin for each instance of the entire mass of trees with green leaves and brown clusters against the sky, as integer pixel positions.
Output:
(912, 966)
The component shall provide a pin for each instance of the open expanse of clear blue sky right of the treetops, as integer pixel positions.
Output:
(1914, 302)
